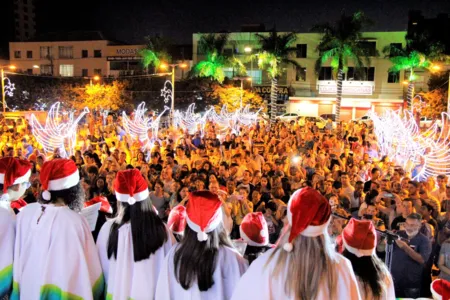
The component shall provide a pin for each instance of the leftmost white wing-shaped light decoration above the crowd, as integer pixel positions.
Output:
(57, 134)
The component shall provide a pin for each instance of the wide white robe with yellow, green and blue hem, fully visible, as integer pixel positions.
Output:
(55, 256)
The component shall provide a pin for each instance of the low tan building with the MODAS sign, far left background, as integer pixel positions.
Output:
(79, 54)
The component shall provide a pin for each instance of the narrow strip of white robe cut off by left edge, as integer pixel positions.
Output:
(7, 235)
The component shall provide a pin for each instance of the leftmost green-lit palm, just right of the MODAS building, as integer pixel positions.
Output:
(155, 52)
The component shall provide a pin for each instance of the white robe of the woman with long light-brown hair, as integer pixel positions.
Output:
(258, 282)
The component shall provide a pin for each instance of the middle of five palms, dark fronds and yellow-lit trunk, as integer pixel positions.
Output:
(275, 53)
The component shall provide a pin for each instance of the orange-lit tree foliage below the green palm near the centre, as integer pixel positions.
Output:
(231, 96)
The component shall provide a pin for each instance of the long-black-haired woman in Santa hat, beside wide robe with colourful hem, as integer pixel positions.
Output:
(132, 246)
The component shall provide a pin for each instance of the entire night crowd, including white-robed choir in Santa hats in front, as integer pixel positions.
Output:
(184, 215)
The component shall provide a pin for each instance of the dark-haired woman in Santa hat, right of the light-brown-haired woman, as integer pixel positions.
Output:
(375, 282)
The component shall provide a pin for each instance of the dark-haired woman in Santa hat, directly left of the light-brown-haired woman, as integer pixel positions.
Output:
(204, 265)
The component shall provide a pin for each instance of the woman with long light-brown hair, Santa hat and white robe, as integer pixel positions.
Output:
(304, 264)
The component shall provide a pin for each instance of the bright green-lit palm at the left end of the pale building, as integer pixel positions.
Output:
(213, 46)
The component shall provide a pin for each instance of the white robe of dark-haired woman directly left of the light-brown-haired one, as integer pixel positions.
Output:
(229, 269)
